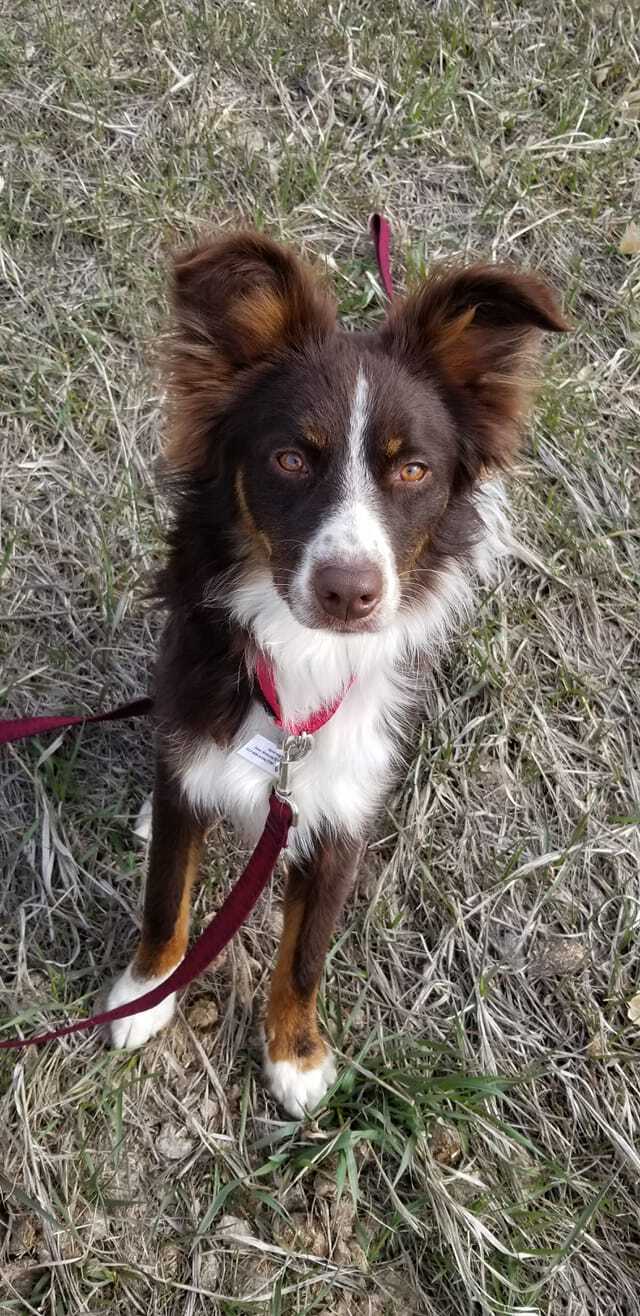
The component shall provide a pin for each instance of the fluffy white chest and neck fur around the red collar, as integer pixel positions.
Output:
(342, 785)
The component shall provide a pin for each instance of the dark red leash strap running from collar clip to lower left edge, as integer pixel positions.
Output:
(234, 914)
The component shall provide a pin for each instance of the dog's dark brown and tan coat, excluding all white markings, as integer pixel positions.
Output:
(257, 365)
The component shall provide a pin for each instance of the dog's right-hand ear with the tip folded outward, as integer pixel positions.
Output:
(476, 332)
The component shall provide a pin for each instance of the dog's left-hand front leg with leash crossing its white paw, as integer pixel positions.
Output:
(177, 840)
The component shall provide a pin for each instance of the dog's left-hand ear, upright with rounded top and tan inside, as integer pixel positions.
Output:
(239, 303)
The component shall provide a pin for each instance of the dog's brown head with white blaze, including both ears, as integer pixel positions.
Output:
(340, 464)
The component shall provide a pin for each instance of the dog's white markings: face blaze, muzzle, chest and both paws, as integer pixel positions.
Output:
(343, 782)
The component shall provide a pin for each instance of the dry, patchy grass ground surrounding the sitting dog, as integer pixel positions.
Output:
(479, 1155)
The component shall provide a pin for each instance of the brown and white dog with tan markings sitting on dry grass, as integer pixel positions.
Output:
(336, 499)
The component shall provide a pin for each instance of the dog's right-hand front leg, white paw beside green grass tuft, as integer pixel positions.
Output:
(298, 1063)
